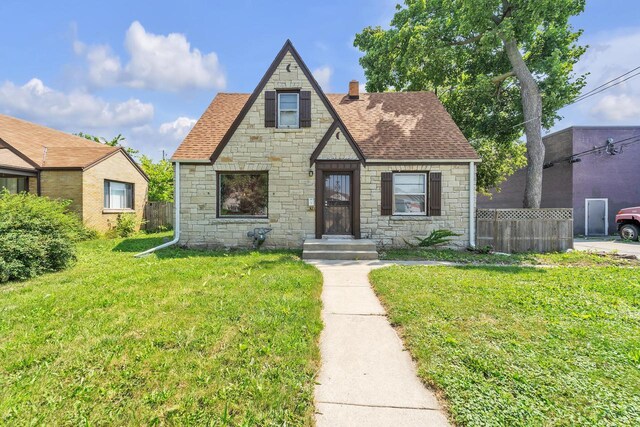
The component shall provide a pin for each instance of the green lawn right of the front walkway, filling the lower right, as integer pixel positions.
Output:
(523, 346)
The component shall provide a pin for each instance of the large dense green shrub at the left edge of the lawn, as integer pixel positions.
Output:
(37, 235)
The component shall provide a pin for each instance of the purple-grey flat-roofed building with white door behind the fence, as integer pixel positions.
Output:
(592, 169)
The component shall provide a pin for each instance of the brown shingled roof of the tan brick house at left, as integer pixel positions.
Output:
(63, 150)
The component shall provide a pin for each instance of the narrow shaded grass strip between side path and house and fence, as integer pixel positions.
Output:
(574, 258)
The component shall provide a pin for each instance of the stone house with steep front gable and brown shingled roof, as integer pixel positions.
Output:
(382, 166)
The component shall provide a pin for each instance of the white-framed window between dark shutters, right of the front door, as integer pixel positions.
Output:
(409, 193)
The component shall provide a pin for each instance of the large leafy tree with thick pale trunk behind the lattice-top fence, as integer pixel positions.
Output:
(497, 65)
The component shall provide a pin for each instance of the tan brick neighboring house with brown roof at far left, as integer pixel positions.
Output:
(101, 181)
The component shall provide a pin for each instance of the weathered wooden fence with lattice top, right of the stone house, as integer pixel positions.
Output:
(525, 230)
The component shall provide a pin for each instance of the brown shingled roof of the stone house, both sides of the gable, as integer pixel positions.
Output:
(390, 125)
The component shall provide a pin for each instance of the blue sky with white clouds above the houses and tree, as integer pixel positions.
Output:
(147, 69)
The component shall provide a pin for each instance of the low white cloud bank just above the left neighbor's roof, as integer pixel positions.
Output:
(77, 109)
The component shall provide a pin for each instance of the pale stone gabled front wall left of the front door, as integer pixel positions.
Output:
(284, 153)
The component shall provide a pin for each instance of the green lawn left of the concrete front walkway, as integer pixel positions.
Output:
(182, 337)
